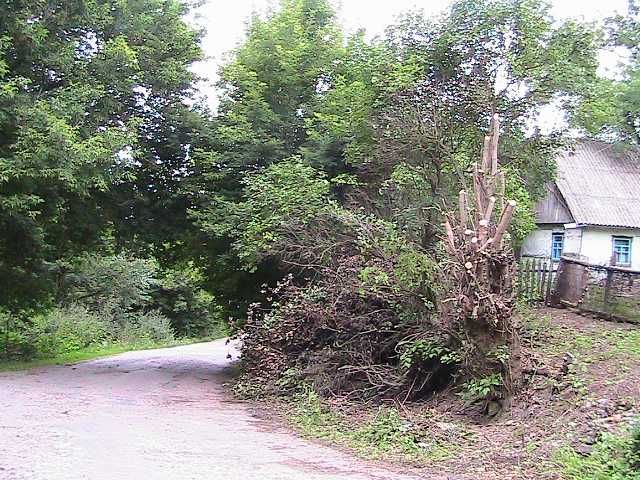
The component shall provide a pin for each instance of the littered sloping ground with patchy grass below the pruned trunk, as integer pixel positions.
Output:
(575, 417)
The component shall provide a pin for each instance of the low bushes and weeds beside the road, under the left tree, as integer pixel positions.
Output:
(113, 300)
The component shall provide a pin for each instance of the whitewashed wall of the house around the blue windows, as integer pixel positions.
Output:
(594, 245)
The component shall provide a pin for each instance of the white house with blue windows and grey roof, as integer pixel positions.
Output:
(593, 208)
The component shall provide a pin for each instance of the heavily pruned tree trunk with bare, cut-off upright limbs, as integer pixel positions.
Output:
(479, 276)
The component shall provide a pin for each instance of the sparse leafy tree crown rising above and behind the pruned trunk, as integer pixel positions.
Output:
(449, 76)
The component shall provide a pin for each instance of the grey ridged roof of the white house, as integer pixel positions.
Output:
(600, 183)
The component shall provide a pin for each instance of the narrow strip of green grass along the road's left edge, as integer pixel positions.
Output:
(93, 353)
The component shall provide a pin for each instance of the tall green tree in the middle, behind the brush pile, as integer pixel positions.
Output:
(268, 92)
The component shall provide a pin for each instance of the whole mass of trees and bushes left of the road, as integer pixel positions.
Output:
(94, 145)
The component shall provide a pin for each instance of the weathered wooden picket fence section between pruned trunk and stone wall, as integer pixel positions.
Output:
(536, 278)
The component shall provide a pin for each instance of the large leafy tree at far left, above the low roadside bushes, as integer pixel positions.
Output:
(83, 86)
